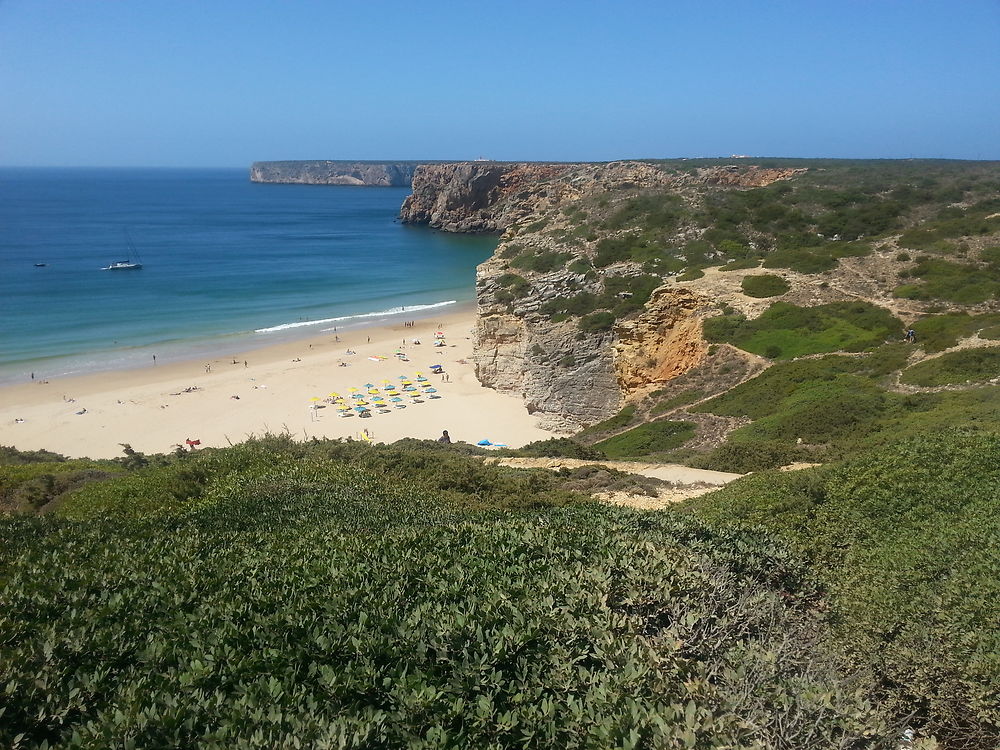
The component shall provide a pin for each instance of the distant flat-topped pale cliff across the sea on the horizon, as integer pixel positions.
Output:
(364, 173)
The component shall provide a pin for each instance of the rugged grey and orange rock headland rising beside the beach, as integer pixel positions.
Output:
(570, 376)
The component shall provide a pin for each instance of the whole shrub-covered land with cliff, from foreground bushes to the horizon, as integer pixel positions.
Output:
(731, 318)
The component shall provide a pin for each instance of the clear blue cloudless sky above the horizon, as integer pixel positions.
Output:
(227, 82)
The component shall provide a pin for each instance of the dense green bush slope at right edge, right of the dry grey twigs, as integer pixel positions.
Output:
(905, 538)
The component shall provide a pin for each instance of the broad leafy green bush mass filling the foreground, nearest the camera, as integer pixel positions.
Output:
(310, 603)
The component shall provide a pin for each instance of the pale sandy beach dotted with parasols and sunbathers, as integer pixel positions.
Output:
(152, 409)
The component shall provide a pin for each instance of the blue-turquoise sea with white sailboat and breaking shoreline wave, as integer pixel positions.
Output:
(228, 264)
